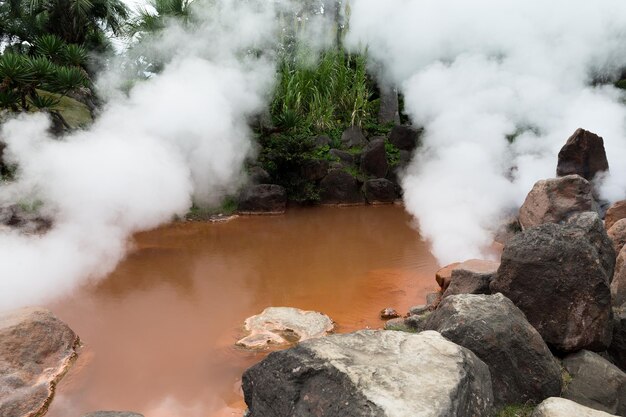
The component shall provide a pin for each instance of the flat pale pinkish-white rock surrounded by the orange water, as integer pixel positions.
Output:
(282, 326)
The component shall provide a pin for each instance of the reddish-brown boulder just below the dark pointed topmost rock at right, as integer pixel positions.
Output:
(554, 200)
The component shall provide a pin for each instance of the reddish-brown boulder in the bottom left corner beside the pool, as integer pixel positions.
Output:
(36, 350)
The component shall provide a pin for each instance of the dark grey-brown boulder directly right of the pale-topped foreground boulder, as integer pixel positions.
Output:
(521, 365)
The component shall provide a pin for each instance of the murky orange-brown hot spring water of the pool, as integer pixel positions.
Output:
(159, 332)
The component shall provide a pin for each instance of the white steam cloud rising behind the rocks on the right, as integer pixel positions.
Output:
(474, 72)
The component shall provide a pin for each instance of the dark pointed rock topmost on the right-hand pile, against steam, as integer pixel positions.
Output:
(583, 154)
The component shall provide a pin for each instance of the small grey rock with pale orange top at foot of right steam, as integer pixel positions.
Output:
(471, 277)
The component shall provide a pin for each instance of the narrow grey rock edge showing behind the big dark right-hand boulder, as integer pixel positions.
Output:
(592, 229)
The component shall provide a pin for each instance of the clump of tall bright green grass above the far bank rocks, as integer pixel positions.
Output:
(334, 92)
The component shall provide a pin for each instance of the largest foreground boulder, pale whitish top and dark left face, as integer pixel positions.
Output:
(370, 374)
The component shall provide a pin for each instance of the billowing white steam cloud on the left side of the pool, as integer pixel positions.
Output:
(181, 136)
